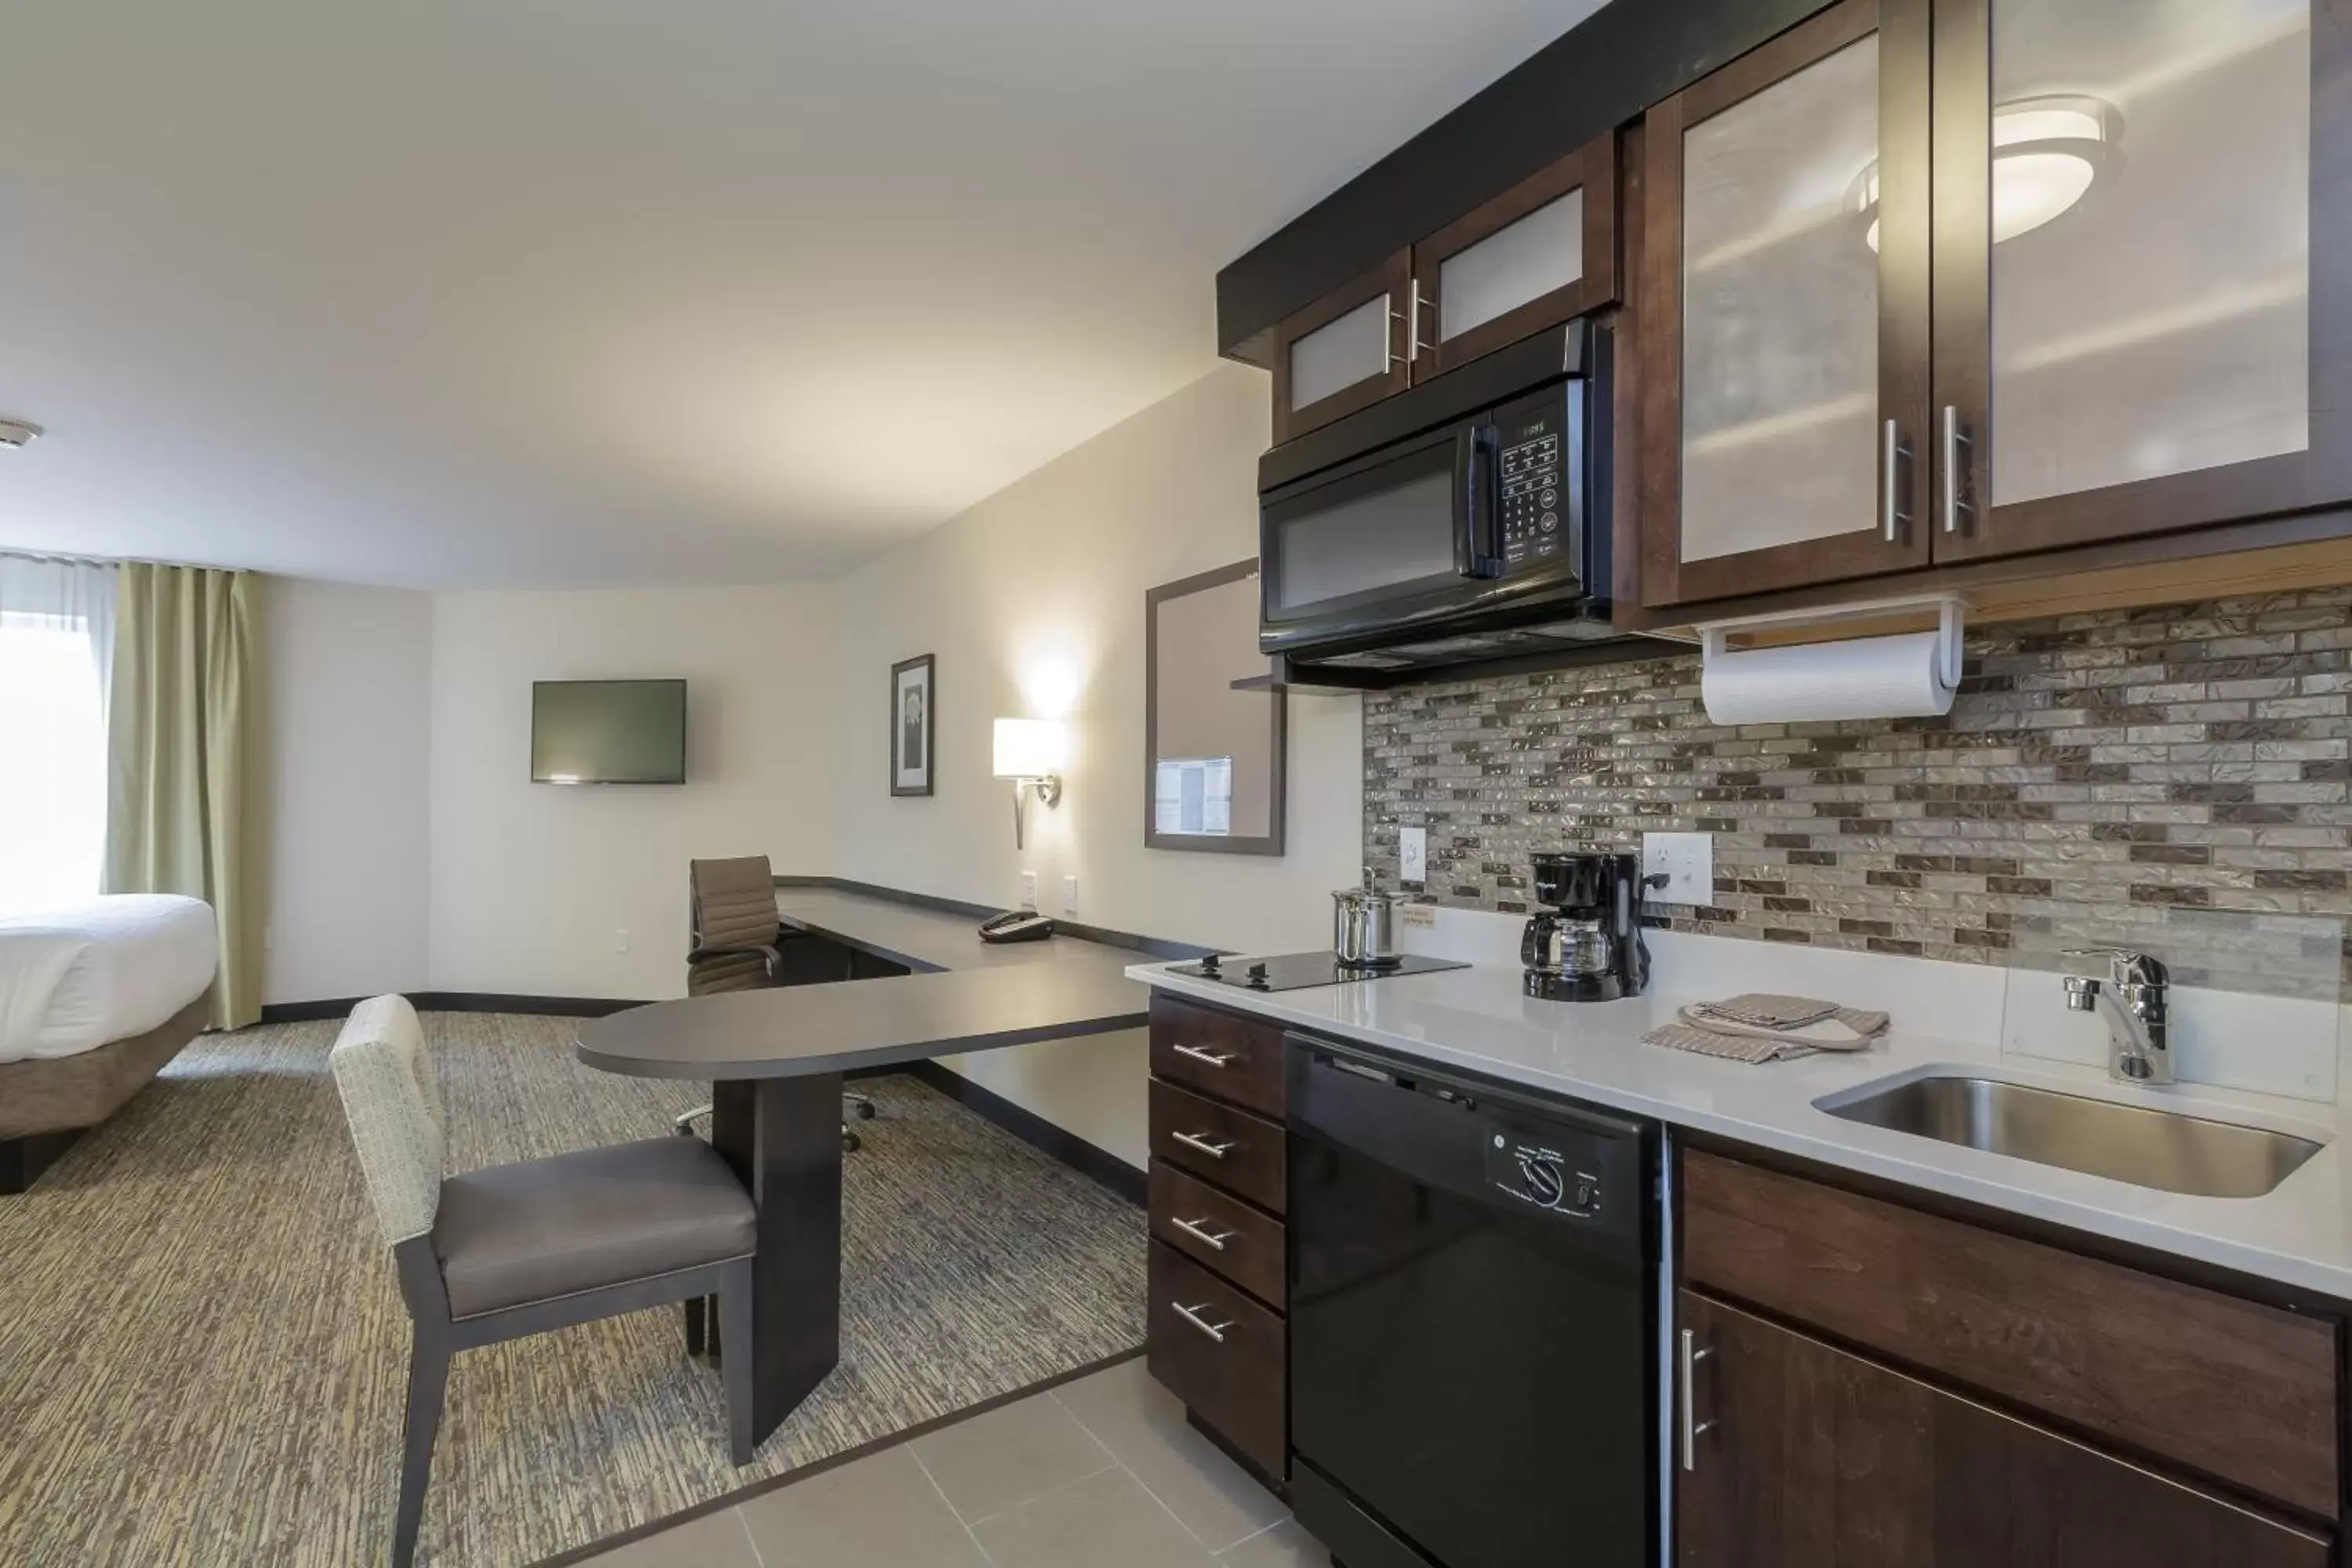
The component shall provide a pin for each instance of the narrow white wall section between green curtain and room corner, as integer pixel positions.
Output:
(349, 685)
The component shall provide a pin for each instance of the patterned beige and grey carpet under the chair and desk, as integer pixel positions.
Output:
(203, 1348)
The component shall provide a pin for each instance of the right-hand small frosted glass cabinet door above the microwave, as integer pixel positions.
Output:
(1535, 257)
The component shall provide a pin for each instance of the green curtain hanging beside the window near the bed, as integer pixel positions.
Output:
(185, 758)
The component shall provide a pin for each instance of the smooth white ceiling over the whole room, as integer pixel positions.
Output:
(563, 293)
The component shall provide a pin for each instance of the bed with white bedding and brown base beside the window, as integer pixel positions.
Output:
(93, 1003)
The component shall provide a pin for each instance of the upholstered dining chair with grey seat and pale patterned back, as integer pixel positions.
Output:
(519, 1249)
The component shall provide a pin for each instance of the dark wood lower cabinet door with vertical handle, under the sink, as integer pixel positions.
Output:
(1805, 1456)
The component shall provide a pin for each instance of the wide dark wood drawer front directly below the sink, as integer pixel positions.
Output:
(2231, 1388)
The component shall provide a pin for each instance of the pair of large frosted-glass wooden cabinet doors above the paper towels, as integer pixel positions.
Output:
(2085, 279)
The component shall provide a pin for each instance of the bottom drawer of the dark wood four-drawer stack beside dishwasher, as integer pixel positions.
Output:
(1222, 1355)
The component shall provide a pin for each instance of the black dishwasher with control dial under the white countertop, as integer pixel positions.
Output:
(1474, 1320)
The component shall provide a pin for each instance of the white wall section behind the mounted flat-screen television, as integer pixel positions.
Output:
(530, 883)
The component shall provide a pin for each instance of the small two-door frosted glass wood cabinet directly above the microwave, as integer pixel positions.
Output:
(1535, 257)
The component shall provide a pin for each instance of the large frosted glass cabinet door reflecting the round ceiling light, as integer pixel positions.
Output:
(2127, 267)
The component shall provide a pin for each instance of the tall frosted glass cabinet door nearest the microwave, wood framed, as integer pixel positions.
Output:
(1784, 311)
